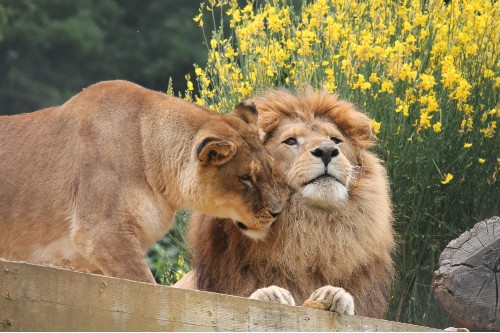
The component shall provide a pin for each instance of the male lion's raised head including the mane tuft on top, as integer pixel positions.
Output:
(315, 139)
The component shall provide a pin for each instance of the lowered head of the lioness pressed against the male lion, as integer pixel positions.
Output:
(236, 172)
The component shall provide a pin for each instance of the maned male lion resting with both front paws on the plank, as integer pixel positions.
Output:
(334, 237)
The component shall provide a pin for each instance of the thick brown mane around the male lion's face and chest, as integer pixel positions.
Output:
(308, 248)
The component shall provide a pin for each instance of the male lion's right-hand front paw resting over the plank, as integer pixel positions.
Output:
(333, 299)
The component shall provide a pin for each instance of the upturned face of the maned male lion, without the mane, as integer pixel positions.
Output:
(314, 158)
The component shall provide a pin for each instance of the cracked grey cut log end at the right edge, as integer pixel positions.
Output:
(466, 284)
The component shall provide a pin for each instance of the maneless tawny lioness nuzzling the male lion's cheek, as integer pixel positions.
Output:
(93, 183)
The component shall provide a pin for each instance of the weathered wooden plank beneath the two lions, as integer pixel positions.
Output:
(40, 298)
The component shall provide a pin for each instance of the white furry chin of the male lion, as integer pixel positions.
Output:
(325, 192)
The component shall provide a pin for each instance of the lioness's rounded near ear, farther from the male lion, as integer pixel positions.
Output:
(215, 151)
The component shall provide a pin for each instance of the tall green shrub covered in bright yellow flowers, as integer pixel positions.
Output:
(425, 71)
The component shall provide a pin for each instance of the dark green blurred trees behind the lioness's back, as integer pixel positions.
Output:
(52, 49)
